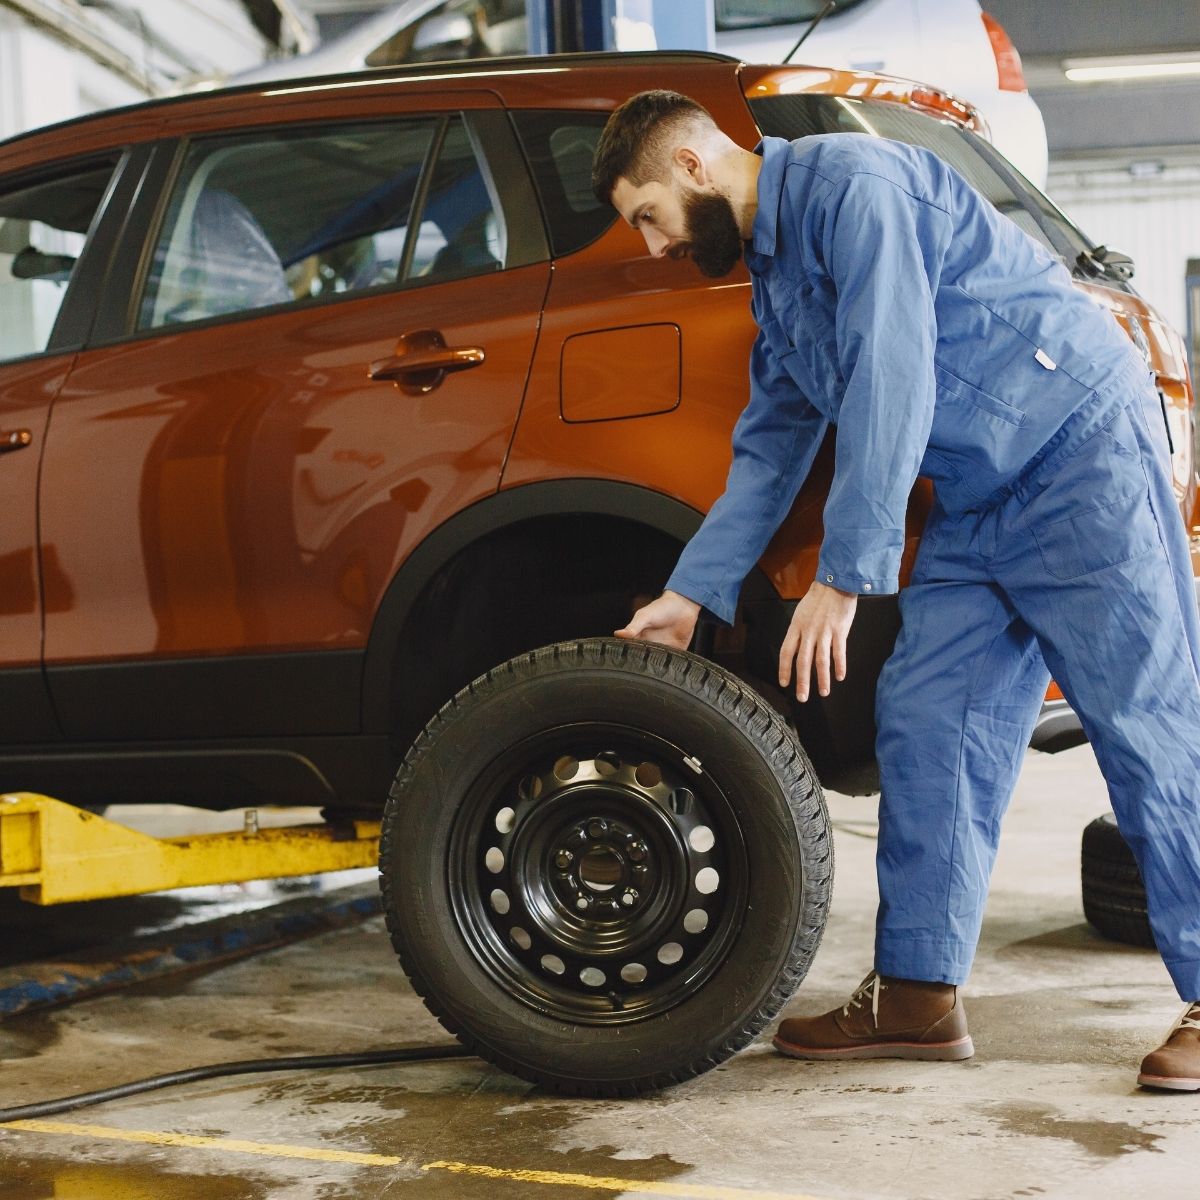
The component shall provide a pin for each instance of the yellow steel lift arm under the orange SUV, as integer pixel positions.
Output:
(56, 853)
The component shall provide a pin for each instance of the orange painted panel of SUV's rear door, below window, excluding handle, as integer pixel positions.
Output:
(247, 485)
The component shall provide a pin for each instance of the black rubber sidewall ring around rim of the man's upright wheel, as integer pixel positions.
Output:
(428, 931)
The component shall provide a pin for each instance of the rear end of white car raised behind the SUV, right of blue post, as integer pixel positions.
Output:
(952, 45)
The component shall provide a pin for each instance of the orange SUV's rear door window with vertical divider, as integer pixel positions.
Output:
(290, 217)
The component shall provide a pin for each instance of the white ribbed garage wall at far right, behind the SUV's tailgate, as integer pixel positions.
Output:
(1149, 211)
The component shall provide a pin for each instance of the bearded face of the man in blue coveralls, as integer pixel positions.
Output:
(683, 223)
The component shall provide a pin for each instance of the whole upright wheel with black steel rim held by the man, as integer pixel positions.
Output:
(607, 867)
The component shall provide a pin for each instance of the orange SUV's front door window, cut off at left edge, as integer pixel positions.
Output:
(44, 229)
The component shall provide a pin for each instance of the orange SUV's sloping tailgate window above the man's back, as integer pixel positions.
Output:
(971, 157)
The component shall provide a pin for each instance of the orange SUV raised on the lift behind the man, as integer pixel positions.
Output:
(321, 398)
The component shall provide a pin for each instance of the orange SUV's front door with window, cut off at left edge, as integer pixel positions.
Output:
(46, 219)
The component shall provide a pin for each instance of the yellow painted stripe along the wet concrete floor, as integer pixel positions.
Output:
(315, 1154)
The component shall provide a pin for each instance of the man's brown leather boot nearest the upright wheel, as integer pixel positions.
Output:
(885, 1019)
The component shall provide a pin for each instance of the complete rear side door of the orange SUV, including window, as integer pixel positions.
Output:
(321, 358)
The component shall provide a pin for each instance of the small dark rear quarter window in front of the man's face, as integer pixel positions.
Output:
(560, 147)
